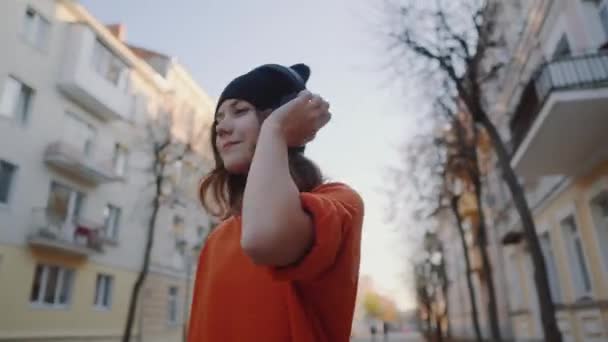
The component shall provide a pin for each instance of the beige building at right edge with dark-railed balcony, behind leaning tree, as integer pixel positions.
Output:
(551, 104)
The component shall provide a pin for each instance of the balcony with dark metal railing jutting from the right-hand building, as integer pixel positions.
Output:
(560, 123)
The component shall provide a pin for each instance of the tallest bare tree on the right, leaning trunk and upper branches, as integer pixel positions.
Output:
(452, 43)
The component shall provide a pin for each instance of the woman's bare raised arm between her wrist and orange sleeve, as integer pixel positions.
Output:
(276, 230)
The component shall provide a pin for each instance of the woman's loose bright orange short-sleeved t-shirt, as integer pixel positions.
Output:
(311, 301)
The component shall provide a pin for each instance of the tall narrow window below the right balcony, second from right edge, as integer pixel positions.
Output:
(576, 257)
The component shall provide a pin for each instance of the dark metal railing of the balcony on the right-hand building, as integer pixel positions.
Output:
(570, 73)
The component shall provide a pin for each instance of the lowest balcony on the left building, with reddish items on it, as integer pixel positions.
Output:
(77, 237)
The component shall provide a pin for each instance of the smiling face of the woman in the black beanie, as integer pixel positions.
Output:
(237, 129)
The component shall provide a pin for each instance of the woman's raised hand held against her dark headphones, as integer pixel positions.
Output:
(300, 119)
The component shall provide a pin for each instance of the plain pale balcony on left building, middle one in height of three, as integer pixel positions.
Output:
(67, 158)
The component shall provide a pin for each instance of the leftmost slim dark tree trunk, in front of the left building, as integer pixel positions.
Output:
(146, 263)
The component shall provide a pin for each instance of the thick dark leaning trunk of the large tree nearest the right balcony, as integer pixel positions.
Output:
(547, 309)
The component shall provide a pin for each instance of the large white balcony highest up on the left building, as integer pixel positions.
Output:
(105, 97)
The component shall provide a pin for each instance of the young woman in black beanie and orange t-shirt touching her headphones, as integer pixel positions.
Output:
(284, 263)
